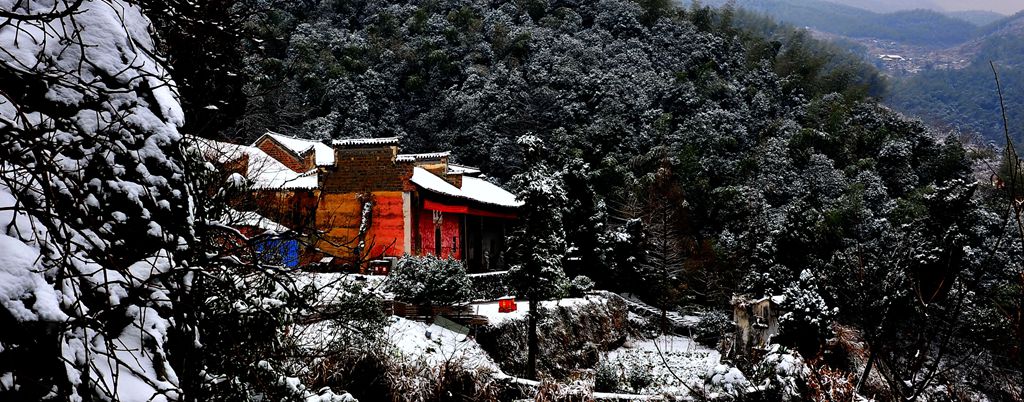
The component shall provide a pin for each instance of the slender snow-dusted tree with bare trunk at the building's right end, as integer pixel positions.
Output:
(537, 247)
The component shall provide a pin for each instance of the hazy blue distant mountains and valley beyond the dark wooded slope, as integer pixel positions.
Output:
(961, 98)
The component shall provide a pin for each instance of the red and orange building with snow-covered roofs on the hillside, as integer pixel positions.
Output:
(361, 201)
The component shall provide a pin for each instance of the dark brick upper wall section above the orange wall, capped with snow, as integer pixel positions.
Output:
(366, 170)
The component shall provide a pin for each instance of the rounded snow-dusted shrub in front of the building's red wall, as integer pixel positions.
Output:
(431, 281)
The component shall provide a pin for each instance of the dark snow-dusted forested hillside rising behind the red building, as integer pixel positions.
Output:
(782, 177)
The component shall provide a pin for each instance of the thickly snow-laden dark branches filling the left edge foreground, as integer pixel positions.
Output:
(93, 203)
